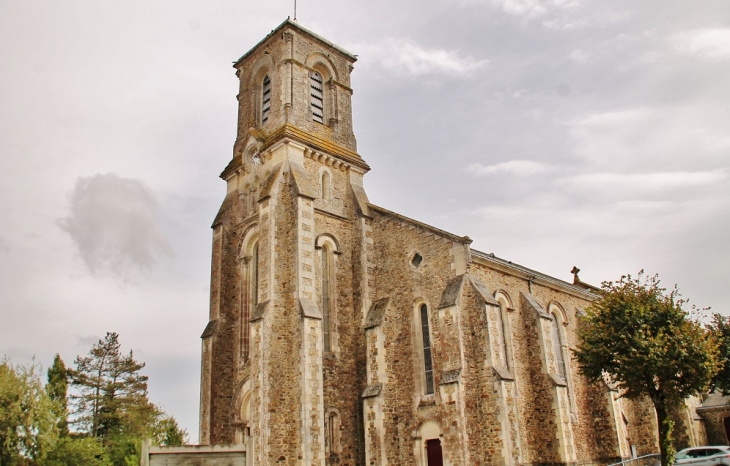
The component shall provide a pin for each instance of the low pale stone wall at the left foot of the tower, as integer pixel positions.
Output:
(193, 455)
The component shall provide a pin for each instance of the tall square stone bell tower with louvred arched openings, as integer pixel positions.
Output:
(281, 354)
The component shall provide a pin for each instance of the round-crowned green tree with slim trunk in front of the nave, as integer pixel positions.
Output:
(638, 336)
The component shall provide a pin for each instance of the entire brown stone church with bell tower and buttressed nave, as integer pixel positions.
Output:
(342, 333)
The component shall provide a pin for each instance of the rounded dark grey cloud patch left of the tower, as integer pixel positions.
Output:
(114, 223)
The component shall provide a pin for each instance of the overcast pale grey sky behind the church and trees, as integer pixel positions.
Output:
(553, 133)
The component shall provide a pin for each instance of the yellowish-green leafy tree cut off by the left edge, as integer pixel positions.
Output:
(28, 417)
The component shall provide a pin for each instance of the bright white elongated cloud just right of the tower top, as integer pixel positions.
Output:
(403, 55)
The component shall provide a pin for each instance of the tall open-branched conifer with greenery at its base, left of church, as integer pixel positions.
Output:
(111, 402)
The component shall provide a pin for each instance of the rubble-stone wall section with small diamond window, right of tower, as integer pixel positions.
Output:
(406, 404)
